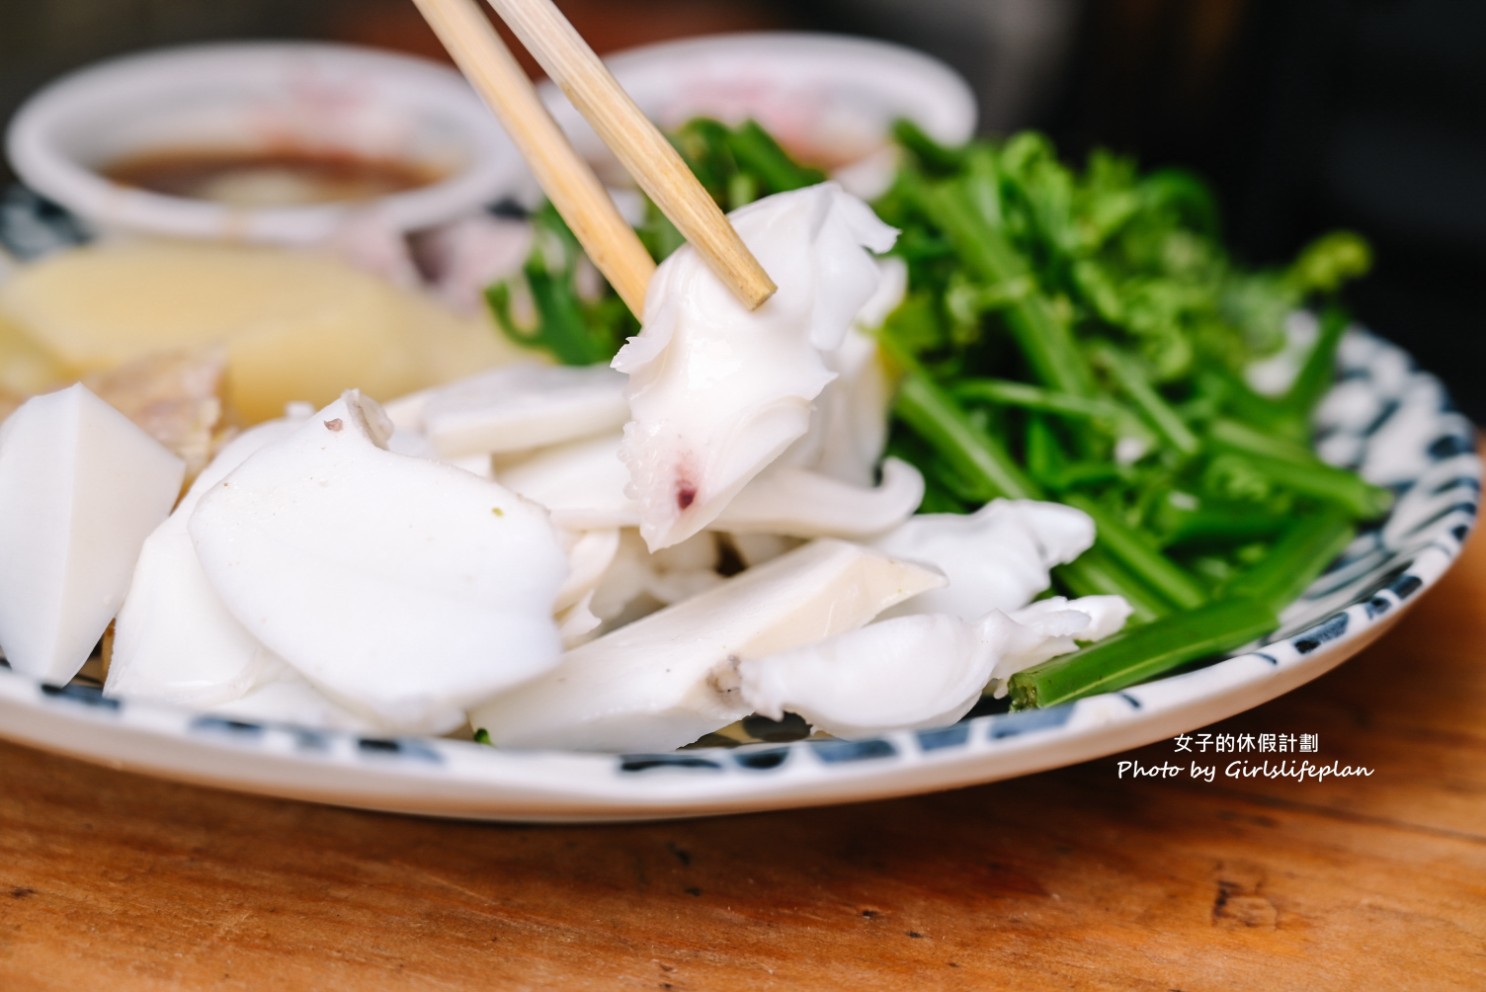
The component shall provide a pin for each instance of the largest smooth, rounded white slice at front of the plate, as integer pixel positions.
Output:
(403, 589)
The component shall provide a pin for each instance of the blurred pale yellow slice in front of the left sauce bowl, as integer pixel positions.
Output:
(295, 326)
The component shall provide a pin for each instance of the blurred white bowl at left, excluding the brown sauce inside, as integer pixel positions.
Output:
(325, 99)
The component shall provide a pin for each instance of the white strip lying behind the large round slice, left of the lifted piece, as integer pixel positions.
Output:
(522, 408)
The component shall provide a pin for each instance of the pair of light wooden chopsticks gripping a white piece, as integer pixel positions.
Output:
(565, 177)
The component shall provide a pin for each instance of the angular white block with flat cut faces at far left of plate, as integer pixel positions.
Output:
(81, 488)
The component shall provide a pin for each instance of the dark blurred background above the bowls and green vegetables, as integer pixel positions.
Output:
(1307, 115)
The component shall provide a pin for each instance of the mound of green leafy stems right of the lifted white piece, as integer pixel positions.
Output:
(1097, 322)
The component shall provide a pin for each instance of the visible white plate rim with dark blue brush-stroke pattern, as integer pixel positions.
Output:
(1384, 418)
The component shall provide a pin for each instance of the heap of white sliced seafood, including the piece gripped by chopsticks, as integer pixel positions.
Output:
(561, 558)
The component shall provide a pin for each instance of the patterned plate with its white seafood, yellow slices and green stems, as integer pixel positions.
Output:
(1017, 470)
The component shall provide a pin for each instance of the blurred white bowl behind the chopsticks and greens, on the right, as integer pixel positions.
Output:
(825, 94)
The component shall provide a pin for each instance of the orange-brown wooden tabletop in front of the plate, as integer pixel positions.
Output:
(1072, 880)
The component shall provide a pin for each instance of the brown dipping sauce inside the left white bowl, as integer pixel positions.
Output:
(279, 177)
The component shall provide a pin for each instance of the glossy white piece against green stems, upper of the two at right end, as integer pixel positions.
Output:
(998, 558)
